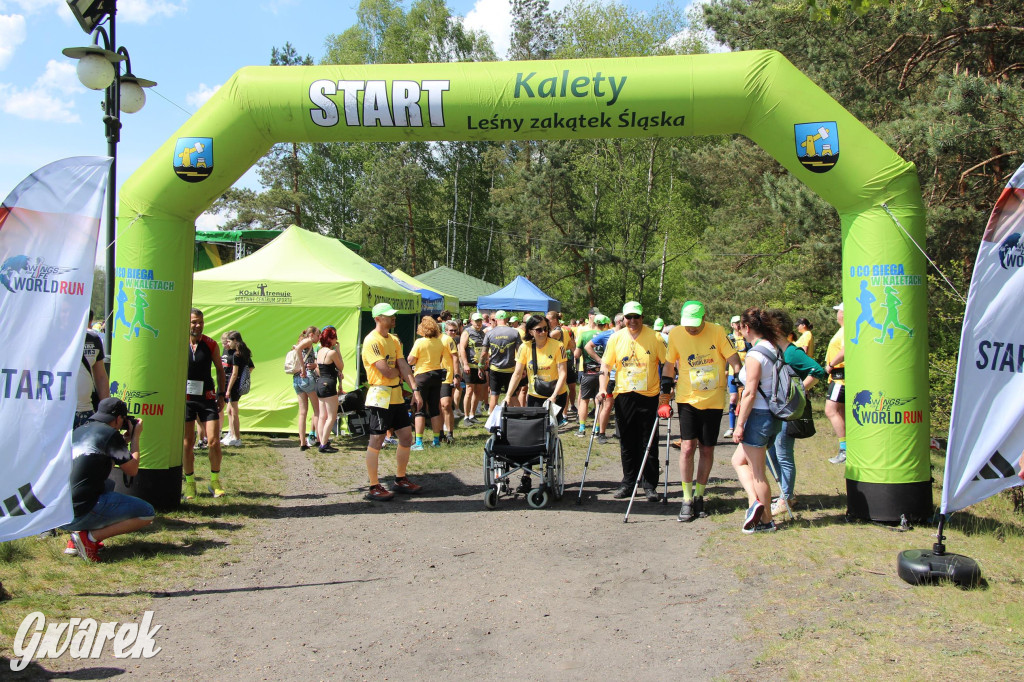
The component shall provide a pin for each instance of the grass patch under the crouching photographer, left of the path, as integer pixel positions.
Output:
(178, 549)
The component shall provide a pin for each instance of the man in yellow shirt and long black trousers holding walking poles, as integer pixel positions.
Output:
(634, 354)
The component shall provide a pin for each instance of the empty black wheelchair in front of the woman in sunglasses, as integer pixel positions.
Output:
(526, 443)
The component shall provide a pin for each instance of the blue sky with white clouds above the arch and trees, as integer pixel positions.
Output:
(190, 48)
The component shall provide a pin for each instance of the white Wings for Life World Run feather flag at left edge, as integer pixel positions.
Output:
(49, 230)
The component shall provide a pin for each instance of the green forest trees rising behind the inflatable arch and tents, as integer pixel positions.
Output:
(664, 221)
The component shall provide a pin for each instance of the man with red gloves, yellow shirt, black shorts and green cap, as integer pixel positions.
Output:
(703, 353)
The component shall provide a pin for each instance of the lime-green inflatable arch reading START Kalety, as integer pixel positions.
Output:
(758, 95)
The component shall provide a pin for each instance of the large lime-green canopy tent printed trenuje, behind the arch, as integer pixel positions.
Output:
(298, 280)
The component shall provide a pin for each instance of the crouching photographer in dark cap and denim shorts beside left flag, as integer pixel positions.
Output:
(110, 438)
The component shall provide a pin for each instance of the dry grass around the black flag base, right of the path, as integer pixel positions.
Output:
(834, 601)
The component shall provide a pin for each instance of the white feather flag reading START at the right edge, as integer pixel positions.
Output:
(987, 430)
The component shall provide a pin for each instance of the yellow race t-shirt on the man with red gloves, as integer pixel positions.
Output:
(702, 376)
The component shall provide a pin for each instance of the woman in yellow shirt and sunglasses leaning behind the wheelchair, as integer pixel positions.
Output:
(545, 377)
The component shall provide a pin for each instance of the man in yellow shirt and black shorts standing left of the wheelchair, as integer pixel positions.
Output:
(387, 367)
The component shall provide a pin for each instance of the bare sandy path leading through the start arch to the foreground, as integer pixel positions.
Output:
(339, 588)
